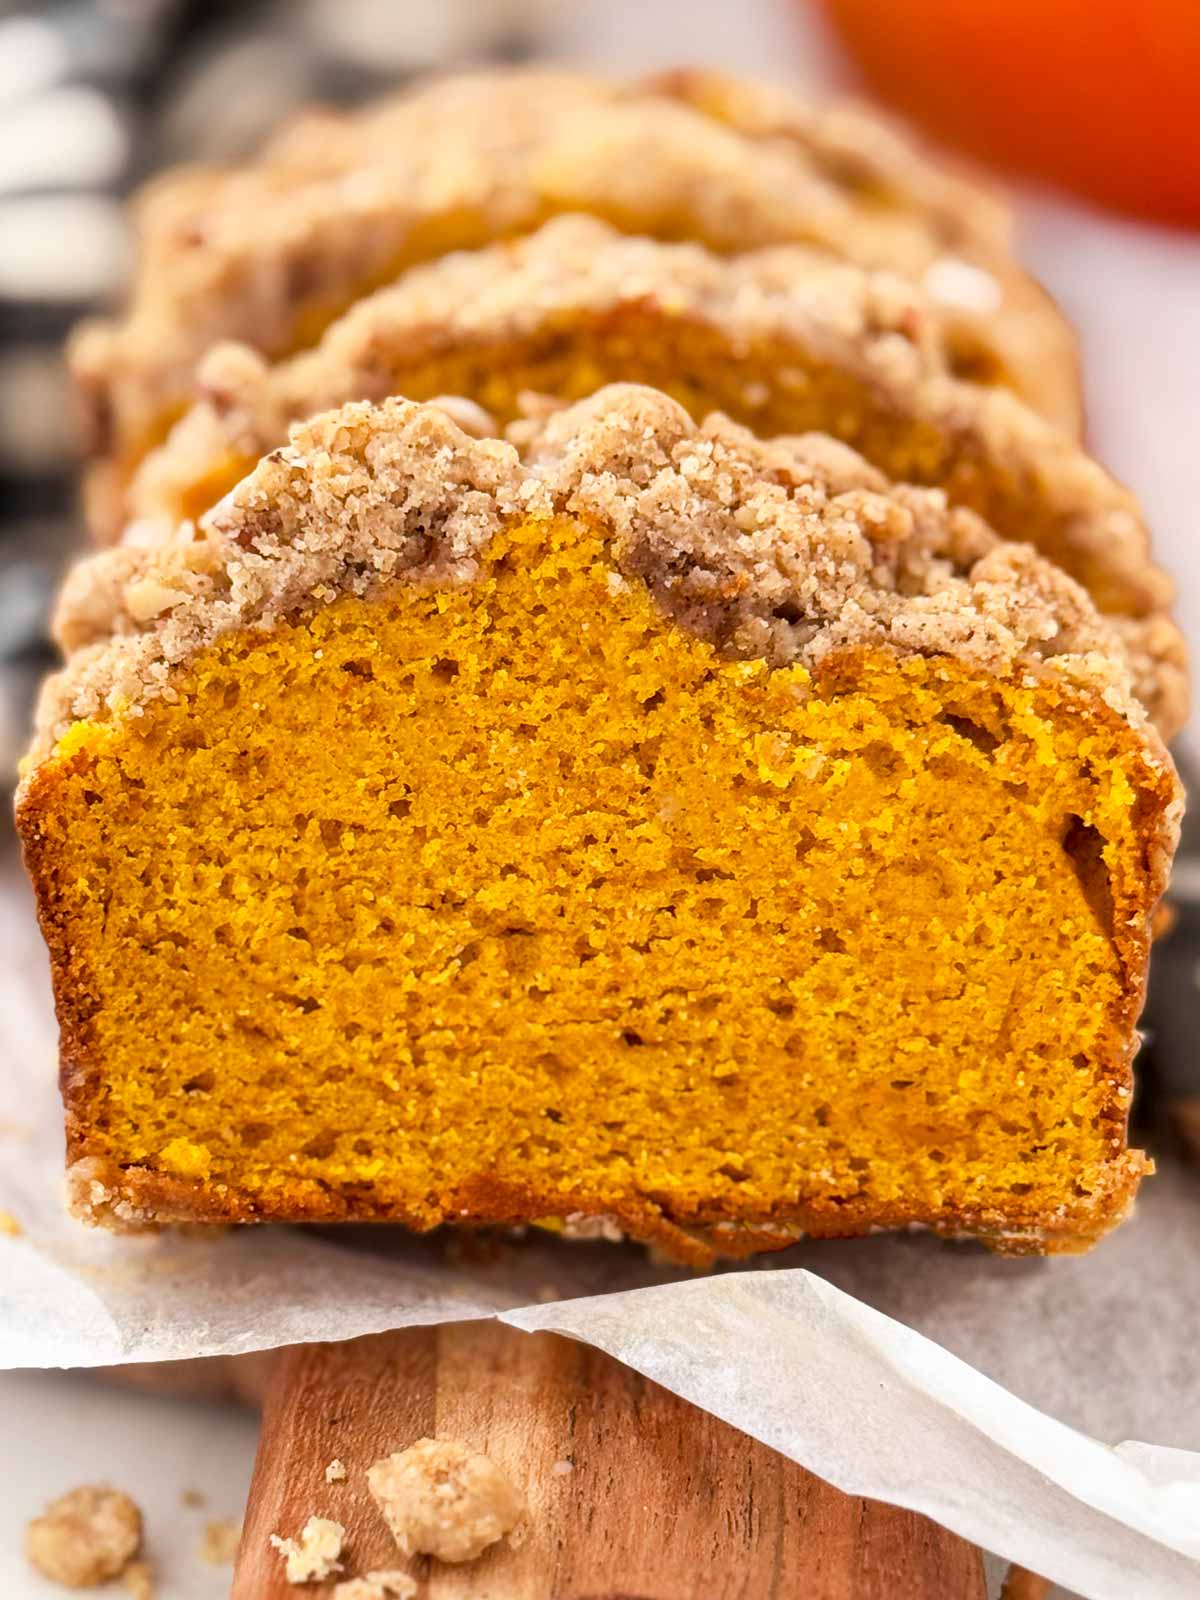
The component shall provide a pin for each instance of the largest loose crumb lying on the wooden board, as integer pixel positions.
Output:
(444, 1498)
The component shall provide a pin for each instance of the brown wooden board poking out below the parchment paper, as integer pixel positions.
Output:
(663, 1502)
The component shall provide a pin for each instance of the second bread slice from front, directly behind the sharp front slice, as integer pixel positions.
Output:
(785, 340)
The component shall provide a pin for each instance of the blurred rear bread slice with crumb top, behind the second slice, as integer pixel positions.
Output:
(271, 254)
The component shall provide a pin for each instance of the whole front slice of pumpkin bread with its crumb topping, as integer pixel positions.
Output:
(655, 830)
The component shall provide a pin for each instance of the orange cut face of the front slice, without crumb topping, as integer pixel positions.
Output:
(518, 902)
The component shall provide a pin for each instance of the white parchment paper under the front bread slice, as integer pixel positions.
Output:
(863, 1361)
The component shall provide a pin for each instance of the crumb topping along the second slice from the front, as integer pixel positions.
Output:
(812, 313)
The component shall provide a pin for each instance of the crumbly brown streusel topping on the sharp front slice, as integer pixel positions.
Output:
(783, 551)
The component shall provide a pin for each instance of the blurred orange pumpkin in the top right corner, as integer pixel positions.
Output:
(1098, 95)
